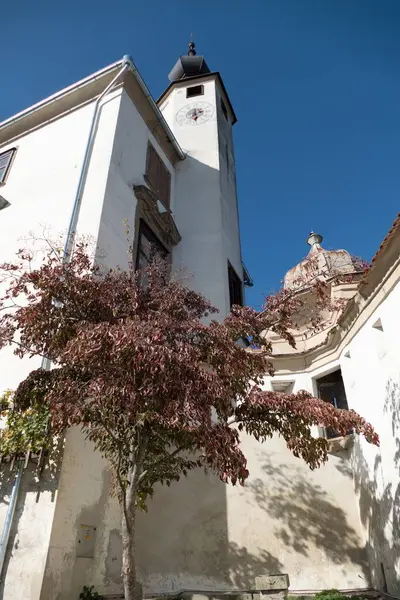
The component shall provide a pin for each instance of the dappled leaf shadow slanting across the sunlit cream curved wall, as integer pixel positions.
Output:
(306, 518)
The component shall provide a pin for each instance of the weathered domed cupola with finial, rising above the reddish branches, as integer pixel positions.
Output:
(319, 264)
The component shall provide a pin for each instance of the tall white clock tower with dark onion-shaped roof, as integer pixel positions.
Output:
(199, 112)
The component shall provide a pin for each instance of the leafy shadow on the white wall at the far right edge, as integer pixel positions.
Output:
(379, 500)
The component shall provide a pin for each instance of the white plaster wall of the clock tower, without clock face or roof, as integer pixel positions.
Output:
(209, 238)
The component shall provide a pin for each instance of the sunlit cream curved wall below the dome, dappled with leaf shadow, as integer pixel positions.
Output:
(301, 522)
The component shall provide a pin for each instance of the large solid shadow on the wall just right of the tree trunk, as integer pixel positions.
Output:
(183, 541)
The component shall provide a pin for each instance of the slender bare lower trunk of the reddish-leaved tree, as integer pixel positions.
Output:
(131, 588)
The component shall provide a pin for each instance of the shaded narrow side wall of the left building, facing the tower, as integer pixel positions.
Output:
(90, 502)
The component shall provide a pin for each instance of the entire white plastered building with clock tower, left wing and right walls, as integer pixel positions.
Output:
(102, 152)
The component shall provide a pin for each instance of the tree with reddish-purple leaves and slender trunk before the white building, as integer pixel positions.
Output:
(156, 388)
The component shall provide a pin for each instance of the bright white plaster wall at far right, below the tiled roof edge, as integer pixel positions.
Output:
(372, 379)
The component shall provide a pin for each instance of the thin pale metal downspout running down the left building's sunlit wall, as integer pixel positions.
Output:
(69, 243)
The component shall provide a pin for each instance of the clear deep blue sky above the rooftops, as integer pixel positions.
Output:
(315, 85)
